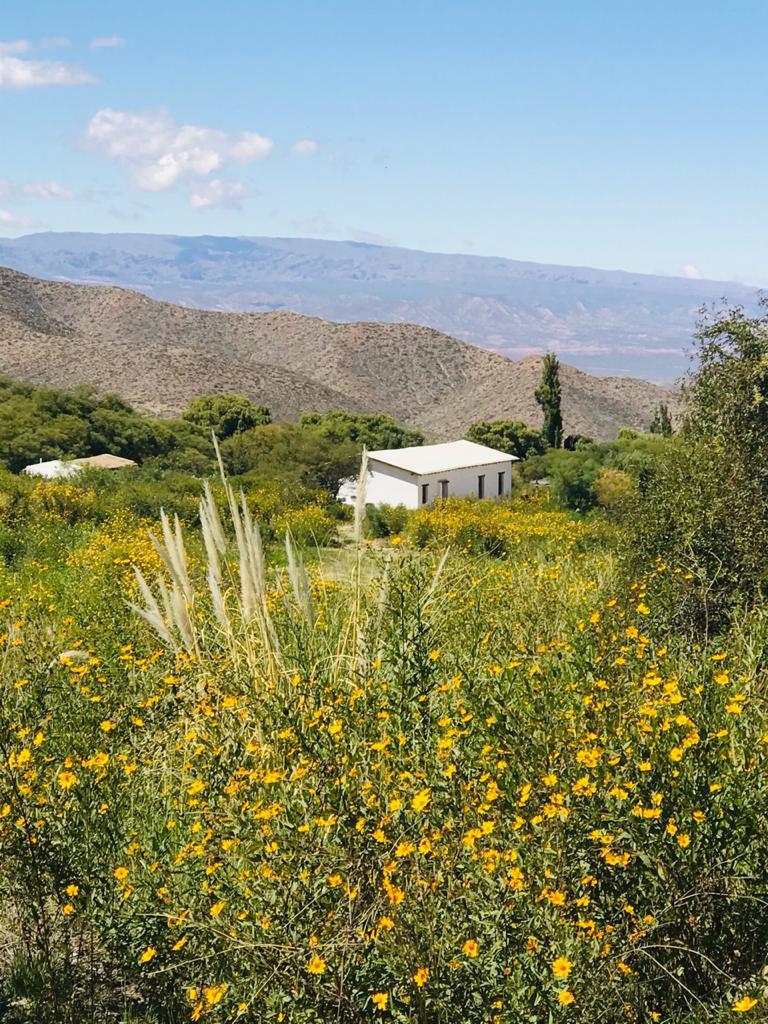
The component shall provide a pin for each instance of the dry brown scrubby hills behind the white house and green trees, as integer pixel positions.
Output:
(159, 356)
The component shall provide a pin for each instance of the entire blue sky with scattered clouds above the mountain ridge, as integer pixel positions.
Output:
(614, 135)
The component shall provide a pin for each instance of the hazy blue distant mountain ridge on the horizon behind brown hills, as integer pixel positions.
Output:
(607, 322)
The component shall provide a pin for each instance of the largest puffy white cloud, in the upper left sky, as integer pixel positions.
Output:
(159, 154)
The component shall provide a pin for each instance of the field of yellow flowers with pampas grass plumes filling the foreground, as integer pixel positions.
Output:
(486, 786)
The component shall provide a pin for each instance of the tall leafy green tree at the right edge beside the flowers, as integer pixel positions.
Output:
(705, 508)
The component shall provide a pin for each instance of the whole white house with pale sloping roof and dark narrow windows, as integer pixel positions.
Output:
(416, 477)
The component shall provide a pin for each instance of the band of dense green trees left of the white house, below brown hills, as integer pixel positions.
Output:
(41, 423)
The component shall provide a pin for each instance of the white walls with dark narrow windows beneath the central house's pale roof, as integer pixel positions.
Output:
(388, 486)
